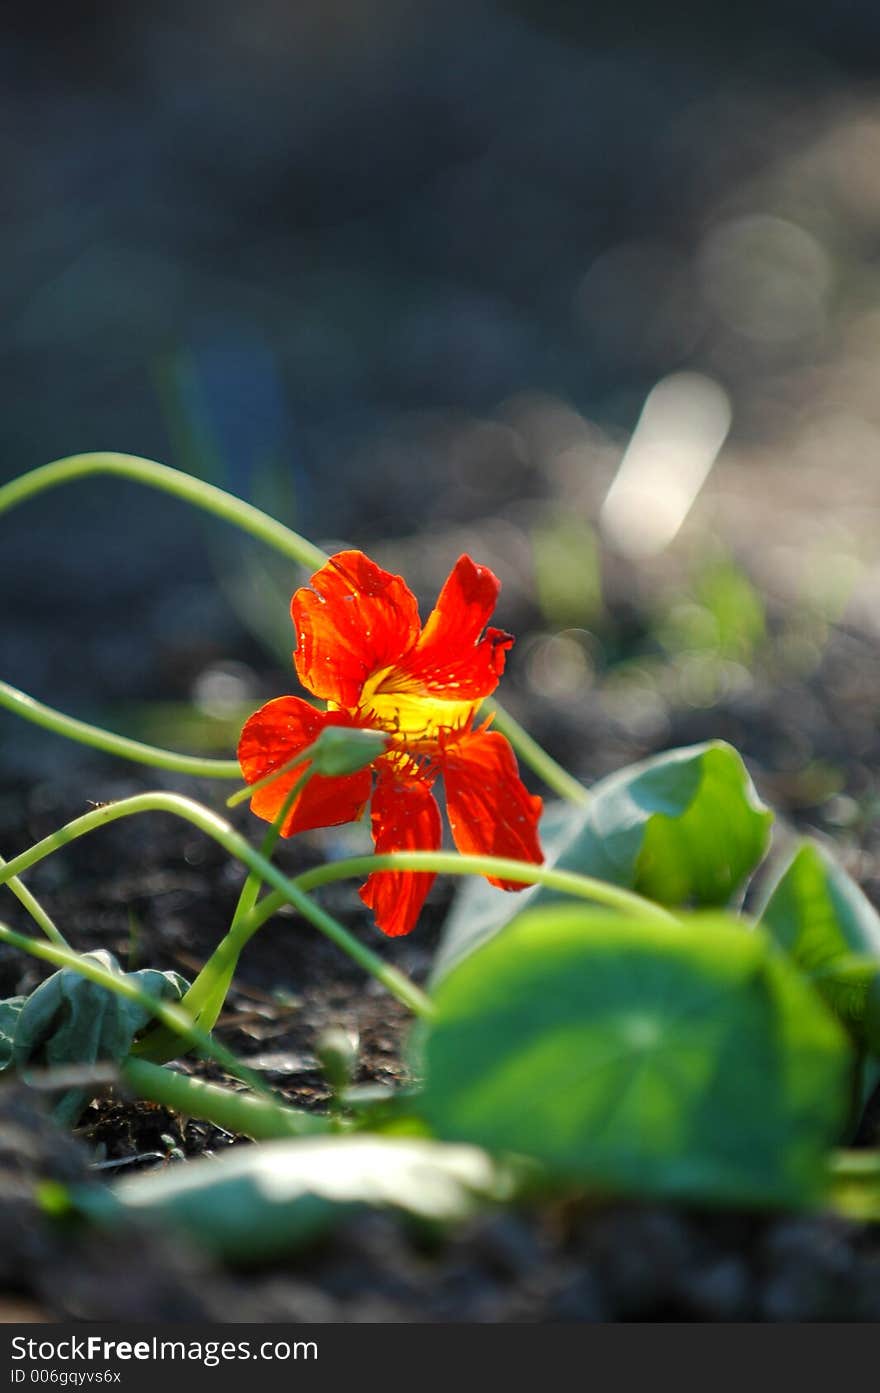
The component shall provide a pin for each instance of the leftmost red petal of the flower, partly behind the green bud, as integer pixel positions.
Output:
(272, 738)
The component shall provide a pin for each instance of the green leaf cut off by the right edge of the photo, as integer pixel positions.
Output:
(819, 916)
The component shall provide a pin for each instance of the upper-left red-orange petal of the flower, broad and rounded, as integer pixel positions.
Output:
(354, 621)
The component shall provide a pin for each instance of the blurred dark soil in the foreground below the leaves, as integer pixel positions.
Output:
(576, 1263)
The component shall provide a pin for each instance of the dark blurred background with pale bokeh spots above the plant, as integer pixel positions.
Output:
(591, 292)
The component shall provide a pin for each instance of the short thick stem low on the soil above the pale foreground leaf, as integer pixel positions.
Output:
(258, 1118)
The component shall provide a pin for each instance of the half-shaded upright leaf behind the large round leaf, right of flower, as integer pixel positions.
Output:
(683, 828)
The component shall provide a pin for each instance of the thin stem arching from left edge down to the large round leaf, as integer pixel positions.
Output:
(236, 845)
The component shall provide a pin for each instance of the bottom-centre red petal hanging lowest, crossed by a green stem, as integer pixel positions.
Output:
(406, 818)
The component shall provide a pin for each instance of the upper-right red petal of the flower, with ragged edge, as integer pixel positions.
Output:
(453, 657)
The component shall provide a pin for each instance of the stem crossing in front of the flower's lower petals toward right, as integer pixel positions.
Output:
(449, 863)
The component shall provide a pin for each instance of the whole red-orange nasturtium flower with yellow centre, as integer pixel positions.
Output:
(363, 650)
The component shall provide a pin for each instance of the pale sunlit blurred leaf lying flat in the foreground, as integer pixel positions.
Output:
(264, 1201)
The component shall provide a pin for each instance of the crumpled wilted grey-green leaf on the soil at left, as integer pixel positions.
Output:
(70, 1020)
